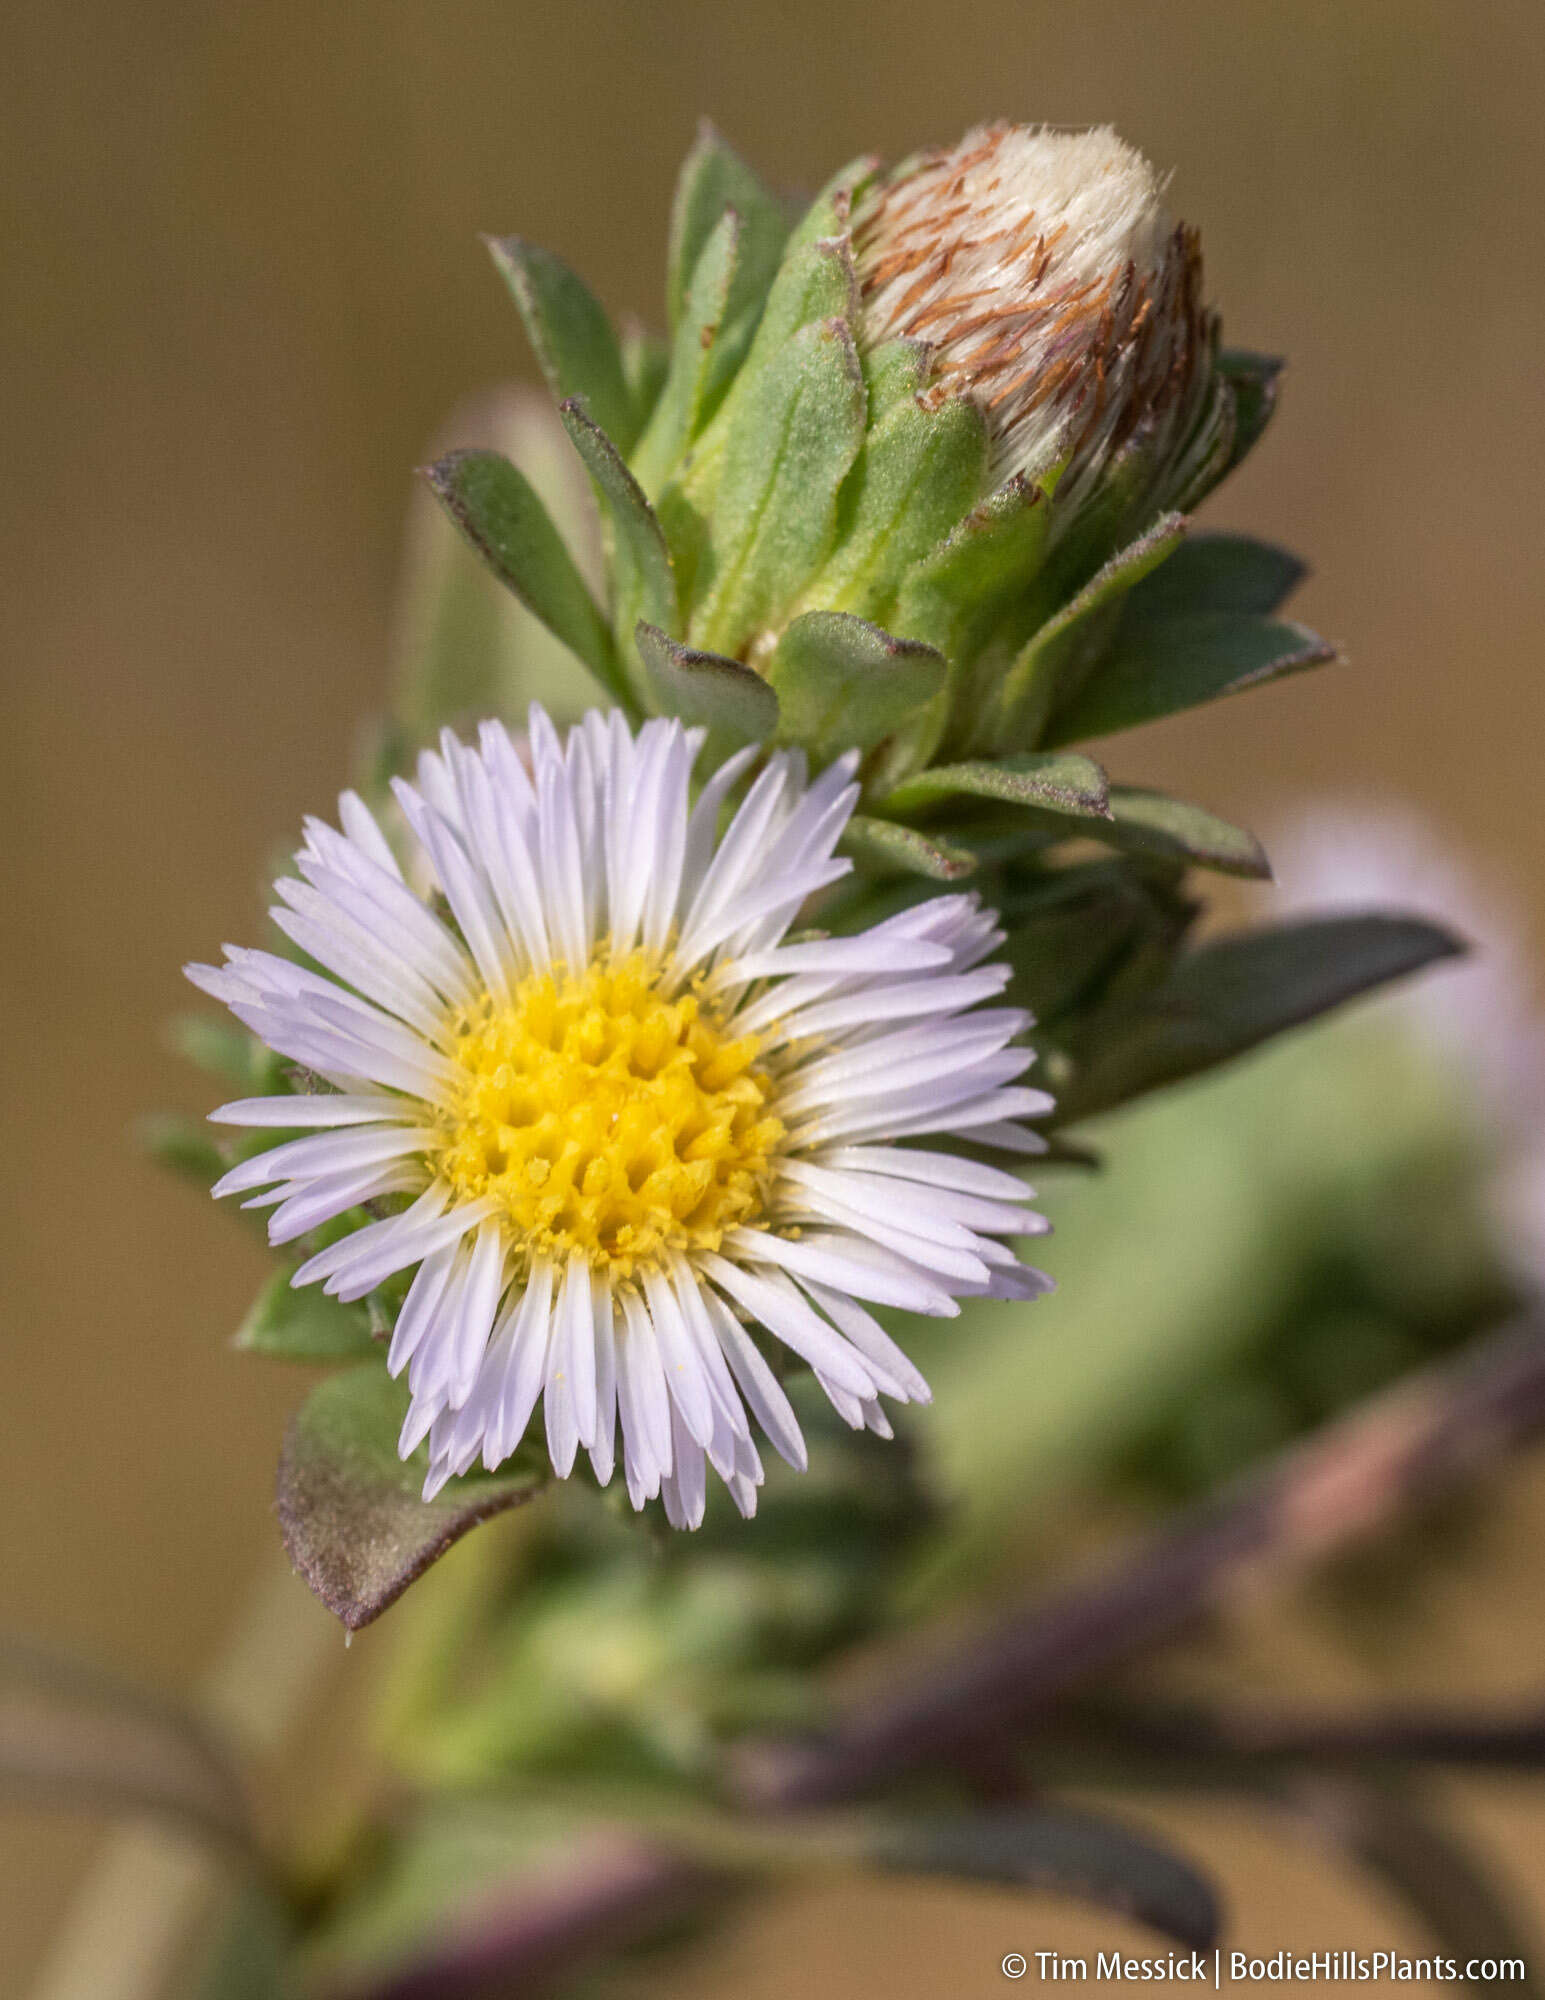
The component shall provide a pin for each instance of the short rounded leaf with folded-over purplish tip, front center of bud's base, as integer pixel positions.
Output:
(844, 685)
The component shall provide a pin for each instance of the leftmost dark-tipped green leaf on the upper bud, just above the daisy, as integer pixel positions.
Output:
(499, 513)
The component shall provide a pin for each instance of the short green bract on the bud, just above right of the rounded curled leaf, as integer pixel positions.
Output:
(958, 593)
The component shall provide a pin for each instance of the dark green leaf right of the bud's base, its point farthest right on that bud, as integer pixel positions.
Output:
(1180, 663)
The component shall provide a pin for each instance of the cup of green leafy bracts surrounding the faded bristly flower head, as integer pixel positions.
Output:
(812, 535)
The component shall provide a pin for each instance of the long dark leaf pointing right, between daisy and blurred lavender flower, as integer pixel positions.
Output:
(1240, 991)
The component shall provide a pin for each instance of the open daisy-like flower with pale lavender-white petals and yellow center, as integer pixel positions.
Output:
(627, 1117)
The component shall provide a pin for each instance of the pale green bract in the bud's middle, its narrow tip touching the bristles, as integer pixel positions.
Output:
(920, 473)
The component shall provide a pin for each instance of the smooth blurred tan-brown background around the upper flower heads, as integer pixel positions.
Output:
(243, 285)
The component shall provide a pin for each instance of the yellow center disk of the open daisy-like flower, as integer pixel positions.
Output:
(609, 1119)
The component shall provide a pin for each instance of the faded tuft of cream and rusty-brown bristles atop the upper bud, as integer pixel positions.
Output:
(1050, 285)
